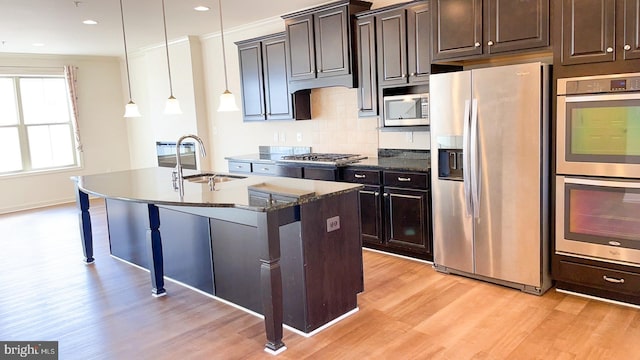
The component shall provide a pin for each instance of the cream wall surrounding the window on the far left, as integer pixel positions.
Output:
(102, 129)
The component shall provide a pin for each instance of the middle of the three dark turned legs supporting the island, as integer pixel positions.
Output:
(154, 246)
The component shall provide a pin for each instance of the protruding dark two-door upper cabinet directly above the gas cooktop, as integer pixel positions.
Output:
(320, 49)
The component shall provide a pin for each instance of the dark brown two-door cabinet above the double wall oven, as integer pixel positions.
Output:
(596, 31)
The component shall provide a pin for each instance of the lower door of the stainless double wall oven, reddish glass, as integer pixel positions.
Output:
(598, 218)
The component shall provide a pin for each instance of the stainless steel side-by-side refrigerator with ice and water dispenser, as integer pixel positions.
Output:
(490, 174)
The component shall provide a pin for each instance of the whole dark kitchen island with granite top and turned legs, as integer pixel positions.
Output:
(286, 248)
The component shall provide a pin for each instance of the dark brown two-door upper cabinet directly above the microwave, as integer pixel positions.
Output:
(404, 51)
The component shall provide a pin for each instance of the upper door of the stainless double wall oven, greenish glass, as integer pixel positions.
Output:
(599, 135)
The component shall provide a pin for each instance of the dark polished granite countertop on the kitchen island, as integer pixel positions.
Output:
(154, 185)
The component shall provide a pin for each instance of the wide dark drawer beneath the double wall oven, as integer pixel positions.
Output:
(599, 277)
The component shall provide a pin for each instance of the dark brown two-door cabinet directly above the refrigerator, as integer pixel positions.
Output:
(468, 29)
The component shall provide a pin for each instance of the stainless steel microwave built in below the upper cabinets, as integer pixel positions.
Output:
(406, 110)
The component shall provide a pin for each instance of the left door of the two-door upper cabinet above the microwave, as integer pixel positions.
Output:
(392, 48)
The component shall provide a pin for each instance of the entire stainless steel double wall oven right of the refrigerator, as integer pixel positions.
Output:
(598, 168)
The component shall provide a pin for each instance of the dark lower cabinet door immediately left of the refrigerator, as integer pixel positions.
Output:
(408, 219)
